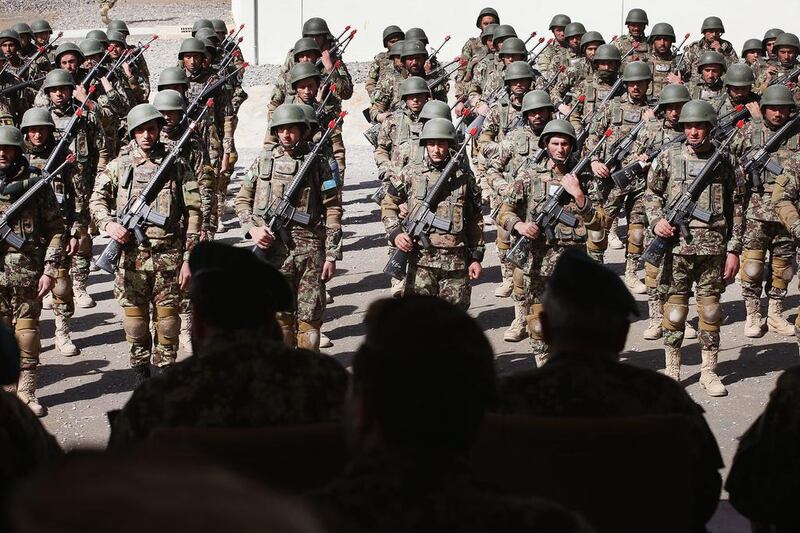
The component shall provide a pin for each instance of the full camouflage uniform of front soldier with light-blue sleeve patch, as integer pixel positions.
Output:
(300, 260)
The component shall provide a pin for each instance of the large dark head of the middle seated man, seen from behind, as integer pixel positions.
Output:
(422, 379)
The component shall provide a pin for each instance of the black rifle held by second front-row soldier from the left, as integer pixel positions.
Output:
(137, 213)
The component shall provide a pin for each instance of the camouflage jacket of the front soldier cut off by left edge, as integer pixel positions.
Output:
(39, 223)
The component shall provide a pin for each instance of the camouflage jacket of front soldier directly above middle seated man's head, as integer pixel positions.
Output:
(461, 205)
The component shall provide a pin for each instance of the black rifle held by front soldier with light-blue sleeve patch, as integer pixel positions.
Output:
(282, 213)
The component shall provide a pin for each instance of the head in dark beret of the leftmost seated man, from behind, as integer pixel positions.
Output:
(233, 290)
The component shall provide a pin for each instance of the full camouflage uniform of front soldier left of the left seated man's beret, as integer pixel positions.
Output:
(148, 272)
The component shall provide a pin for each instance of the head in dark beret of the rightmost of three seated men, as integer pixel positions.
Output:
(587, 307)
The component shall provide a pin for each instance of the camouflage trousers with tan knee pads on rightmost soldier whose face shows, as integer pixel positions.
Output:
(759, 238)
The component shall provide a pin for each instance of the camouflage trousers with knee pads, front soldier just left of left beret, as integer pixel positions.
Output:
(149, 277)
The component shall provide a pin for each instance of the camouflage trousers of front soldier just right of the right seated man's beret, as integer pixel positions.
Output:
(679, 273)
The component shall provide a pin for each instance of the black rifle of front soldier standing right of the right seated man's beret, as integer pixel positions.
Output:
(684, 207)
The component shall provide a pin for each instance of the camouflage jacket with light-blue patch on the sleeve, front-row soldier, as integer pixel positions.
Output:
(263, 184)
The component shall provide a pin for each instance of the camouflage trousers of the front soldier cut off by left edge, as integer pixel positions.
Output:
(20, 306)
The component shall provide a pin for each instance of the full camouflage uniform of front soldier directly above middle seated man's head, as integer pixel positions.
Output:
(442, 269)
